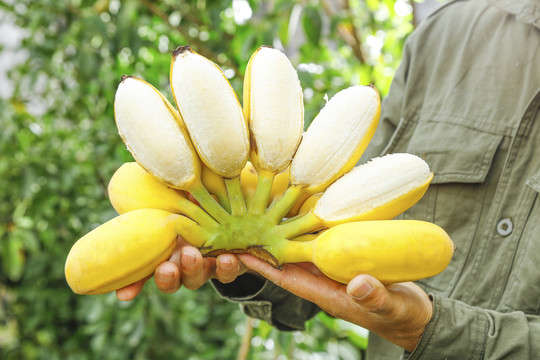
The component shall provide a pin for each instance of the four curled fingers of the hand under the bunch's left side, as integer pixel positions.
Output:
(187, 267)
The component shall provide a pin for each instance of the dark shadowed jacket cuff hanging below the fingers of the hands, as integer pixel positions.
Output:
(261, 299)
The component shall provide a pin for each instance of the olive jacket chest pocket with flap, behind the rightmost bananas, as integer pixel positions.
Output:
(461, 158)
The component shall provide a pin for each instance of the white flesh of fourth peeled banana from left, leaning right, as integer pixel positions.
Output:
(335, 135)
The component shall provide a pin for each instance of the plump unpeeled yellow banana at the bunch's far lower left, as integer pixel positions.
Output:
(121, 251)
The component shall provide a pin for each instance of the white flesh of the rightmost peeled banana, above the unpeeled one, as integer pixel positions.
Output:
(372, 185)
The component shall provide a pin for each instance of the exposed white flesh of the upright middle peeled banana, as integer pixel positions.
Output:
(274, 108)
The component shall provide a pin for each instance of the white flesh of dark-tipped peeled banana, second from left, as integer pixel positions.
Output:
(210, 111)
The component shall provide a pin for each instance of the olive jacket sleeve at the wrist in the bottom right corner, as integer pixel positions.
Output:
(461, 331)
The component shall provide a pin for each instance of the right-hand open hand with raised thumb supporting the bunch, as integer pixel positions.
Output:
(397, 312)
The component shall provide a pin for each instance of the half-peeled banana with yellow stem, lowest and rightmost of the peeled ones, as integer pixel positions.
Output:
(378, 190)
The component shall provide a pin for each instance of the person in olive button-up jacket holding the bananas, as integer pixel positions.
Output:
(466, 98)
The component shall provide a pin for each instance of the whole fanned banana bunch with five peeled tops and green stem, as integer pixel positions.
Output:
(249, 180)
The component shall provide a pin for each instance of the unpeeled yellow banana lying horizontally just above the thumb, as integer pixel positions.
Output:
(390, 250)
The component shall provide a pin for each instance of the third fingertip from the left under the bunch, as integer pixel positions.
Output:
(193, 270)
